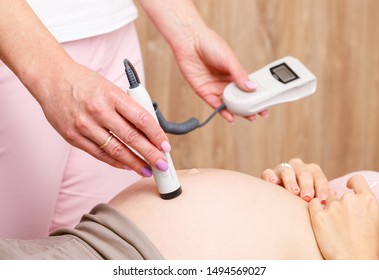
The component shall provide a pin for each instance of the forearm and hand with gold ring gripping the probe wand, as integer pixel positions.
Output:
(80, 104)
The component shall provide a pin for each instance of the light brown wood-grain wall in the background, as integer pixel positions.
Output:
(338, 127)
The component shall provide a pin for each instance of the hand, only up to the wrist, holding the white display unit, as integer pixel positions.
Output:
(208, 64)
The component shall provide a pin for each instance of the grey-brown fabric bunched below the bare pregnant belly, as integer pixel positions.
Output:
(104, 233)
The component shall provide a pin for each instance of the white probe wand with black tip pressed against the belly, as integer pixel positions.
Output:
(167, 181)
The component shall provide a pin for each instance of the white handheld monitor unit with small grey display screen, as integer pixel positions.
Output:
(281, 81)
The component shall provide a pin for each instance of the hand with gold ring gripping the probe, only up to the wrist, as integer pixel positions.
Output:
(98, 117)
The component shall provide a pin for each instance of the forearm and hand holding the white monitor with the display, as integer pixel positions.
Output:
(204, 58)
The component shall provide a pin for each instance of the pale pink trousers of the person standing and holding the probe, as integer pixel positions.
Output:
(45, 183)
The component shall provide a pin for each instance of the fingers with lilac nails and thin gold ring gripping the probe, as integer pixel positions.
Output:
(135, 130)
